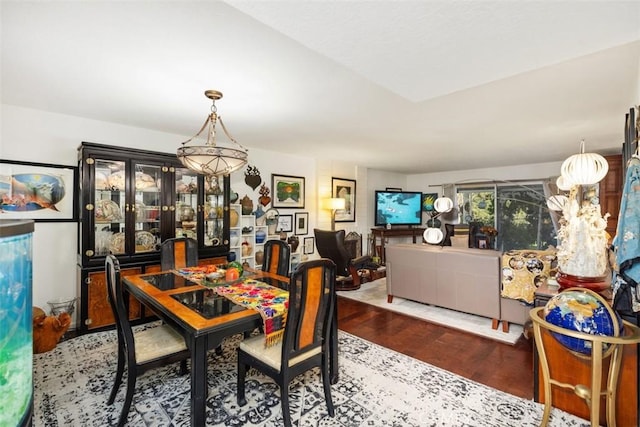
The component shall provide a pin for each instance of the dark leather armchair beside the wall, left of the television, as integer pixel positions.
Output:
(330, 244)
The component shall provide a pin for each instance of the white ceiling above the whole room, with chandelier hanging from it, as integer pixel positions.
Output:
(405, 86)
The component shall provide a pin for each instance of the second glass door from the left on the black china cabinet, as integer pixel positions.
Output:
(146, 207)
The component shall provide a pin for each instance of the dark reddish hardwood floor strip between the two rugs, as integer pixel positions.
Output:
(501, 366)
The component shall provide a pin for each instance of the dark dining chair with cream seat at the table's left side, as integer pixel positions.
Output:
(141, 350)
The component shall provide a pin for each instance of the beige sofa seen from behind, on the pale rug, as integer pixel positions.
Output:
(467, 280)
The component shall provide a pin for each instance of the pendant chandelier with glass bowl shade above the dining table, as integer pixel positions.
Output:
(206, 156)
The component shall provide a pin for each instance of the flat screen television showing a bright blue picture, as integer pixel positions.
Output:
(398, 208)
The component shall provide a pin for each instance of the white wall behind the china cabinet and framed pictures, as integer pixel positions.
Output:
(38, 136)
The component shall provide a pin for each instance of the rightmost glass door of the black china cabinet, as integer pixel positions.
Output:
(213, 212)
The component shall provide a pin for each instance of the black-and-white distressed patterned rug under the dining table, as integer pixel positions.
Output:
(377, 387)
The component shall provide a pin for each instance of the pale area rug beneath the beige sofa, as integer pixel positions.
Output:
(375, 293)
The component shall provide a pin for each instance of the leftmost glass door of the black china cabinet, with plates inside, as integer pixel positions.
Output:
(109, 203)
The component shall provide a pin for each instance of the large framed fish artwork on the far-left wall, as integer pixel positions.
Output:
(38, 191)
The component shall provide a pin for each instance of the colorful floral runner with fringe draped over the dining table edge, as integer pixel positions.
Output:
(271, 302)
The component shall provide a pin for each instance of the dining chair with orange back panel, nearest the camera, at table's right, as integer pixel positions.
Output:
(305, 342)
